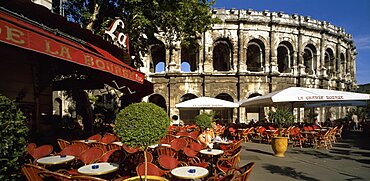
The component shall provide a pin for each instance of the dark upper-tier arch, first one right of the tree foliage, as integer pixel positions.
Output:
(222, 60)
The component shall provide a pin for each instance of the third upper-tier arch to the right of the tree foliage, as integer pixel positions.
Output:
(285, 57)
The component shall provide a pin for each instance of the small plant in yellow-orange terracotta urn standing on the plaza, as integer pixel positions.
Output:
(280, 117)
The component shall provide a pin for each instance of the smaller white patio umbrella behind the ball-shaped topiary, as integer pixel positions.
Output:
(206, 103)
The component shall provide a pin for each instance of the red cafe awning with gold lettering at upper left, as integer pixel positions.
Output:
(31, 37)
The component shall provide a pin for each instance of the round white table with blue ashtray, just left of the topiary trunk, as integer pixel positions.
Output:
(103, 168)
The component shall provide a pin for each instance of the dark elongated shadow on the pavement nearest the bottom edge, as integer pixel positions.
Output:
(287, 171)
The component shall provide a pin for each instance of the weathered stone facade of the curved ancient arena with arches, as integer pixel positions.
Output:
(253, 53)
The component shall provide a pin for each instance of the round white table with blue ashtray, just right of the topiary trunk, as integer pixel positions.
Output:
(190, 172)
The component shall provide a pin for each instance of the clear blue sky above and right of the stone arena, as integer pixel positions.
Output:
(352, 15)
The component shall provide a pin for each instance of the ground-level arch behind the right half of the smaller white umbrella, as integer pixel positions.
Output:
(224, 114)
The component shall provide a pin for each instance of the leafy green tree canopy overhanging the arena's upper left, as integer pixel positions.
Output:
(174, 20)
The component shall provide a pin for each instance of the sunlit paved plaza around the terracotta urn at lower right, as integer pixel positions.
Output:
(349, 159)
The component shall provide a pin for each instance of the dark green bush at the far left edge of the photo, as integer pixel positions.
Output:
(14, 132)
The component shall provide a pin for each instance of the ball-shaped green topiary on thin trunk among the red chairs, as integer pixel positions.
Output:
(141, 125)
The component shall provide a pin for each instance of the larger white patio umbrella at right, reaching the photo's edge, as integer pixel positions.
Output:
(302, 96)
